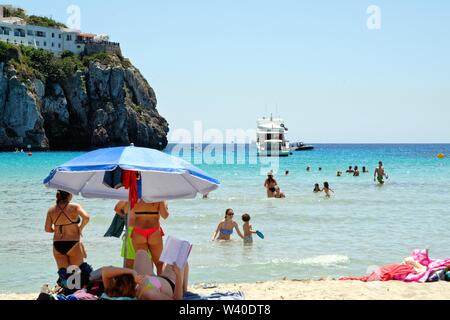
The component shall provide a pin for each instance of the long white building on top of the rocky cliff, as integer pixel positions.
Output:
(17, 31)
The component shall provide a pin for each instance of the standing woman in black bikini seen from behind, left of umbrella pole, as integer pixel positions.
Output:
(66, 221)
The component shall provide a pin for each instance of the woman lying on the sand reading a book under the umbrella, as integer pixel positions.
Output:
(141, 283)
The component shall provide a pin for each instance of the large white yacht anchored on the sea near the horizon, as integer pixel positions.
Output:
(271, 138)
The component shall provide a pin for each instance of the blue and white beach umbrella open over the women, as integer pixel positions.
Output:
(164, 177)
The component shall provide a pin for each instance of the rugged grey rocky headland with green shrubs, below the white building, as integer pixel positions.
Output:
(75, 103)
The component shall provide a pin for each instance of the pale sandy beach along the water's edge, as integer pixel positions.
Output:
(318, 290)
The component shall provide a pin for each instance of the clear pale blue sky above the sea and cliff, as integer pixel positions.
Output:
(316, 62)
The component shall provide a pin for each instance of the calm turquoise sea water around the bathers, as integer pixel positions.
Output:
(307, 236)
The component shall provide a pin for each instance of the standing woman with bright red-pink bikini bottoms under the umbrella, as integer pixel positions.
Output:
(147, 232)
